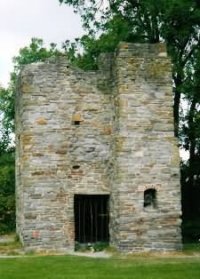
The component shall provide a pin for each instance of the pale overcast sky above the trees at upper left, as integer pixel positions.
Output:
(21, 20)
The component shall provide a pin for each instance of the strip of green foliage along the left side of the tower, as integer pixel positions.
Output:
(7, 169)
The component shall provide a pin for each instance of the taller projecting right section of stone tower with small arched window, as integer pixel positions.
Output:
(147, 155)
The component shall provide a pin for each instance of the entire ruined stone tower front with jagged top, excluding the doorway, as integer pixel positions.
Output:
(107, 132)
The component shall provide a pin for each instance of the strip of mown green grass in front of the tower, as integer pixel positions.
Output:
(135, 267)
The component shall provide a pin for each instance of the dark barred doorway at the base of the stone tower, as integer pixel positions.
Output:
(91, 218)
